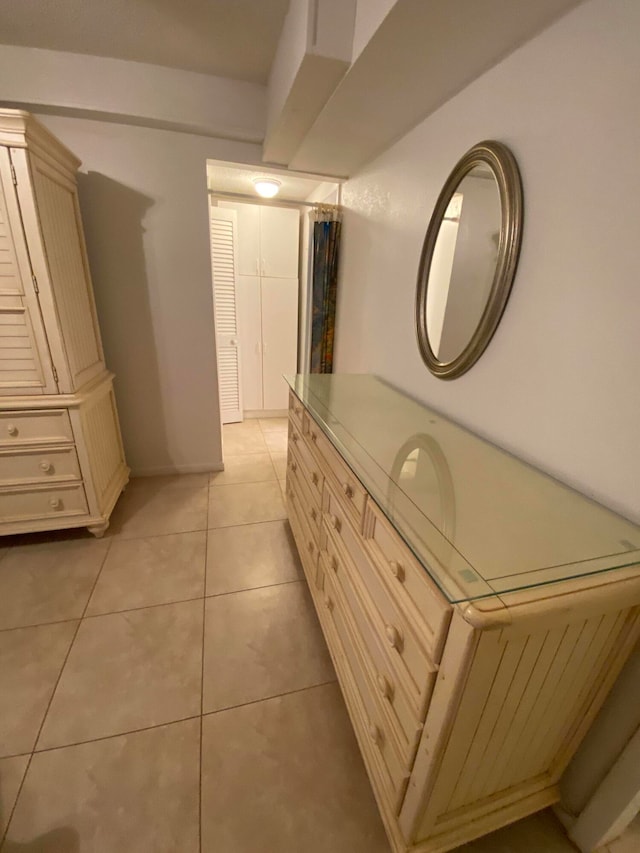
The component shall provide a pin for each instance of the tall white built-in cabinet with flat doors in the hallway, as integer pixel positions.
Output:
(267, 302)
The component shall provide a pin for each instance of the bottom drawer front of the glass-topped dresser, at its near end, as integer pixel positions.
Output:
(374, 728)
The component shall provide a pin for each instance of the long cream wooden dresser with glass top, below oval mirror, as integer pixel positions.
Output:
(477, 611)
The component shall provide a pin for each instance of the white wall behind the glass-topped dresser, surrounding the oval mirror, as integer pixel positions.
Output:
(558, 384)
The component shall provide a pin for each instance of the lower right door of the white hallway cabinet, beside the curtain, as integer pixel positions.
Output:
(279, 338)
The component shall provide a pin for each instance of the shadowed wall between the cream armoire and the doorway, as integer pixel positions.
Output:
(143, 195)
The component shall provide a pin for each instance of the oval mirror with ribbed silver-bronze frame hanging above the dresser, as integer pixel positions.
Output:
(468, 259)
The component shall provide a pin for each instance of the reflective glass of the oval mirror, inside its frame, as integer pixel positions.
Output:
(464, 263)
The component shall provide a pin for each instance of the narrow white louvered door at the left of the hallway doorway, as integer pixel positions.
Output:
(224, 266)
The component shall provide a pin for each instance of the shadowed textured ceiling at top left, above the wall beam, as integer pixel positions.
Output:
(228, 38)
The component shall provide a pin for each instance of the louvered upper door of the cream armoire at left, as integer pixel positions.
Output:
(25, 364)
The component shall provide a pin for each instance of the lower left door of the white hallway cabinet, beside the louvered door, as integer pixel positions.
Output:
(250, 323)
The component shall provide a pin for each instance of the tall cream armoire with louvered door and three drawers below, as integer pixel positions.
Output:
(61, 457)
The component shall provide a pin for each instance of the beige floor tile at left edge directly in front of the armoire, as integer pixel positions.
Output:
(48, 581)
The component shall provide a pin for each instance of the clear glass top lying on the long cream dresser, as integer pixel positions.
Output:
(481, 521)
